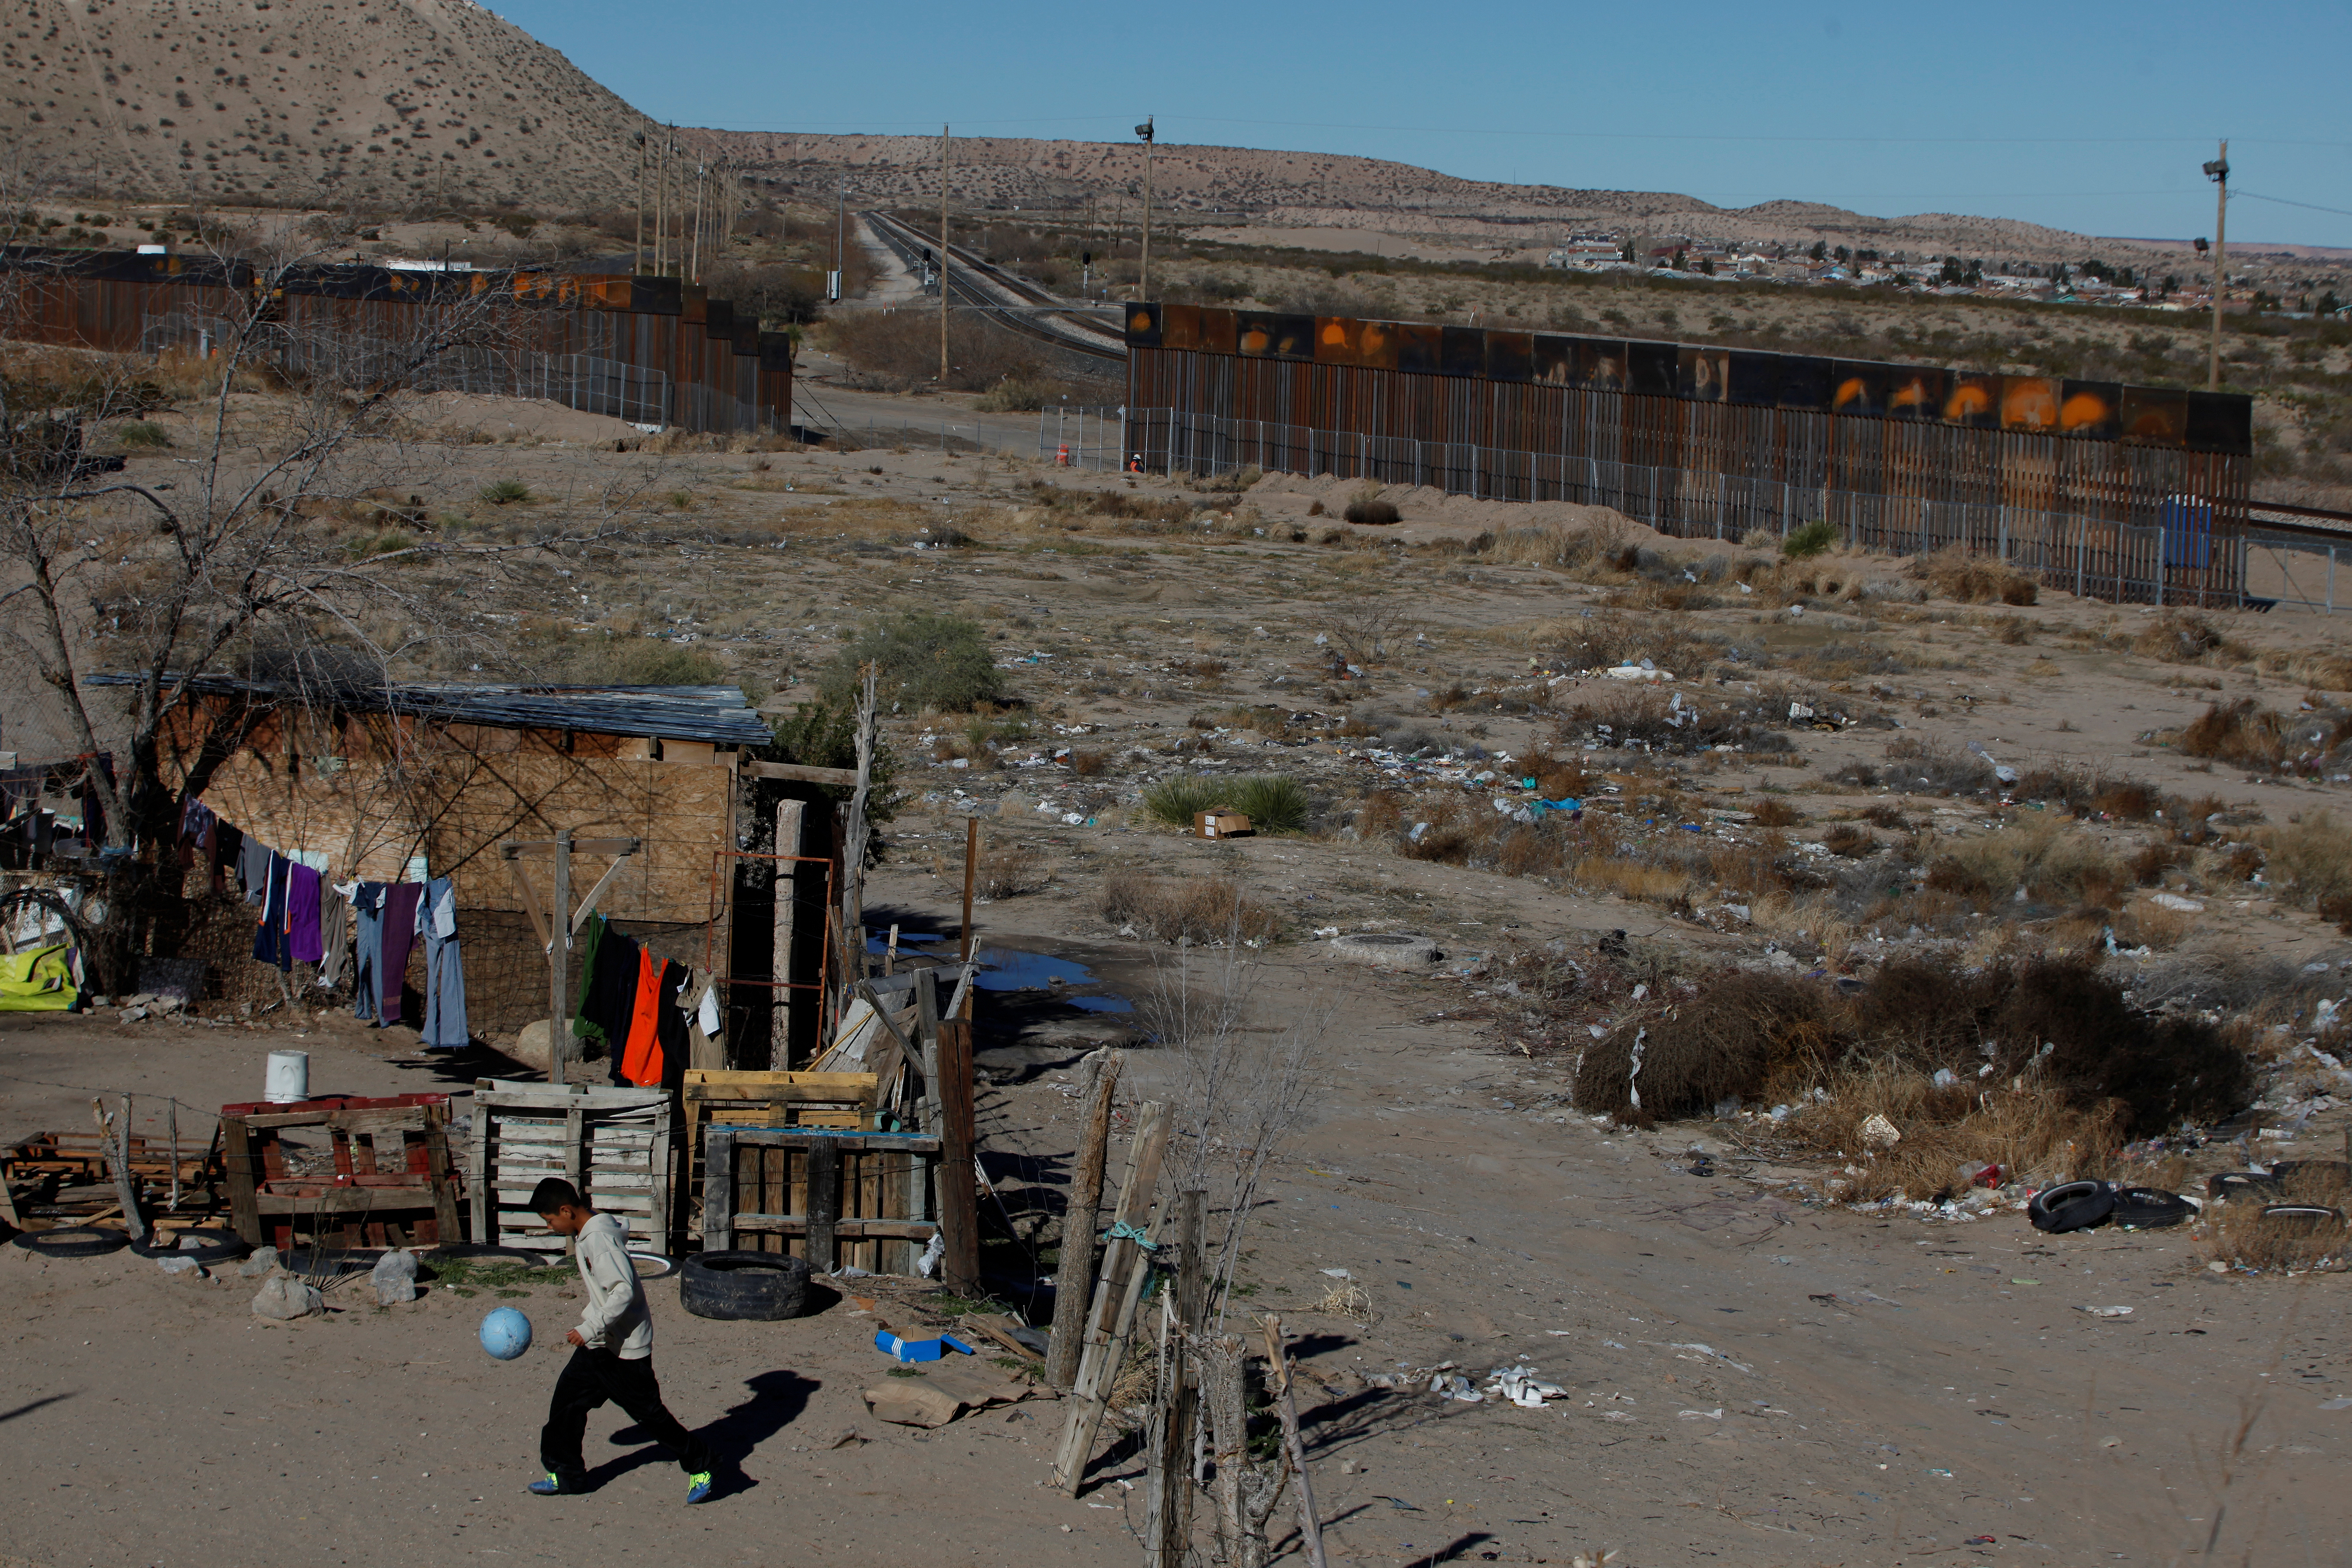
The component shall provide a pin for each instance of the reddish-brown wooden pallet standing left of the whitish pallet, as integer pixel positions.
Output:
(392, 1181)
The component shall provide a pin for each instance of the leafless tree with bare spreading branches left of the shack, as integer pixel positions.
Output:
(222, 568)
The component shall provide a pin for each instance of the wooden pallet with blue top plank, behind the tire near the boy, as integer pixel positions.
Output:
(836, 1200)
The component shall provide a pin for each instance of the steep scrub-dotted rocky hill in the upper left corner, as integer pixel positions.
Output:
(305, 105)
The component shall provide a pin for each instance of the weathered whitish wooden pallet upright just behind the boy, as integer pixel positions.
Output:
(610, 1144)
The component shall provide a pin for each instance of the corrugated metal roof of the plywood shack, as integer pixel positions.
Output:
(669, 713)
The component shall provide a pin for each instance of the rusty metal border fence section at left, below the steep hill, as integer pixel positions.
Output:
(646, 349)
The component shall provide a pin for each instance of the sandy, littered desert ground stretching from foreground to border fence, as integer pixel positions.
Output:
(1772, 1365)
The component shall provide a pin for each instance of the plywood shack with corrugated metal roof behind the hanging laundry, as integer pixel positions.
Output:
(401, 784)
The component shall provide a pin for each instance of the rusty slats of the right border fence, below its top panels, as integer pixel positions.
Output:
(2118, 521)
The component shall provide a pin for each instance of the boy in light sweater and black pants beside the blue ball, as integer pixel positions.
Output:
(613, 1353)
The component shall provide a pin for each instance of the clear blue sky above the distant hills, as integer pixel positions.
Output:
(2078, 116)
